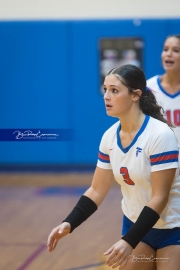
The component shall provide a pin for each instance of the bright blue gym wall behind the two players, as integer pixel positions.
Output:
(49, 78)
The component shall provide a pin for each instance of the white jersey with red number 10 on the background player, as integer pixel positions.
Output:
(170, 103)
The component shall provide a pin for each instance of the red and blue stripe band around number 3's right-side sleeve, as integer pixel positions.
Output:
(166, 157)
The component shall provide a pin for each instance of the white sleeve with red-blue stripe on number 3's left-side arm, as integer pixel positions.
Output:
(103, 155)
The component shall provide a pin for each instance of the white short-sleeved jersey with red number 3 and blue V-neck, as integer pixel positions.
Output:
(154, 148)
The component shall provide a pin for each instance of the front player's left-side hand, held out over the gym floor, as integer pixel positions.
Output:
(56, 234)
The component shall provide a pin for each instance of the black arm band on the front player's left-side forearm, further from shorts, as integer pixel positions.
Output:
(84, 208)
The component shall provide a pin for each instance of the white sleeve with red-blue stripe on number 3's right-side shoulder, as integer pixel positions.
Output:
(164, 151)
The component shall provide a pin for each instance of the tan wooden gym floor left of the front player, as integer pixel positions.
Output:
(32, 204)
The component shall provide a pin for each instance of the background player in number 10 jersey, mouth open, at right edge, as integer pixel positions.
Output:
(167, 86)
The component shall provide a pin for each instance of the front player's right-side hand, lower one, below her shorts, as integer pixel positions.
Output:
(118, 254)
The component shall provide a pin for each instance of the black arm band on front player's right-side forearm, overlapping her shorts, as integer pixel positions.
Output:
(146, 220)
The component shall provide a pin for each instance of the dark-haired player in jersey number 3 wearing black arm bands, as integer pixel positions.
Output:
(135, 152)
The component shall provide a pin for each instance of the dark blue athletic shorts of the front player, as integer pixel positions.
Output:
(156, 238)
